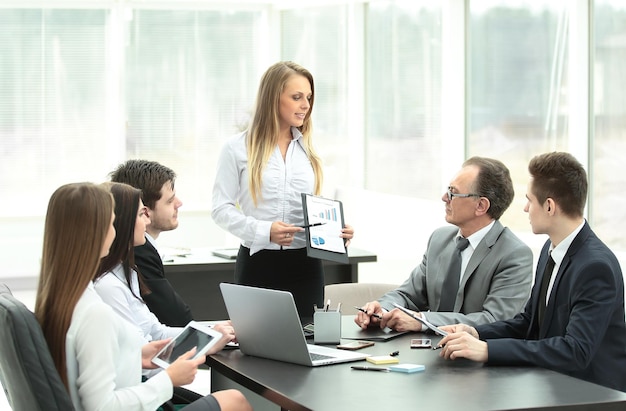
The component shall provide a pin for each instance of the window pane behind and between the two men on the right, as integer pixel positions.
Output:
(517, 87)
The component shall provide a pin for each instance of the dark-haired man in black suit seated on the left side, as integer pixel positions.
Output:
(156, 183)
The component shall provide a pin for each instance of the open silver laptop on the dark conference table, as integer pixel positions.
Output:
(267, 325)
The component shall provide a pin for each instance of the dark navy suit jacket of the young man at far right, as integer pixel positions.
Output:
(583, 333)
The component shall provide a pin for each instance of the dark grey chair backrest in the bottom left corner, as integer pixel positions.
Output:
(27, 372)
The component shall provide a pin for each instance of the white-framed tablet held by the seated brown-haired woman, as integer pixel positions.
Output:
(193, 335)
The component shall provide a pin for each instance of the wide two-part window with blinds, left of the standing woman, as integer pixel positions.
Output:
(83, 90)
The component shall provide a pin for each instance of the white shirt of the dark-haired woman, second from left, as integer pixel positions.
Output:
(113, 289)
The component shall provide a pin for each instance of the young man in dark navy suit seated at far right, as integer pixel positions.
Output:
(574, 320)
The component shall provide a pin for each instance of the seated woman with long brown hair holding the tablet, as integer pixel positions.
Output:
(98, 355)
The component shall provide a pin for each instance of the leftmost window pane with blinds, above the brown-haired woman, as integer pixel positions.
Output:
(53, 117)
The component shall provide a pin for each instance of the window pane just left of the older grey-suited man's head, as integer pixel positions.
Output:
(403, 98)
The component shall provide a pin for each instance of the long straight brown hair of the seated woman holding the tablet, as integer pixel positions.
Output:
(77, 223)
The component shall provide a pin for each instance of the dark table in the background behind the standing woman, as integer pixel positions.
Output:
(196, 274)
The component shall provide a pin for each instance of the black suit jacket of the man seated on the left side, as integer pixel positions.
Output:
(163, 300)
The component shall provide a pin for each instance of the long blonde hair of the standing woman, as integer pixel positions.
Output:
(262, 136)
